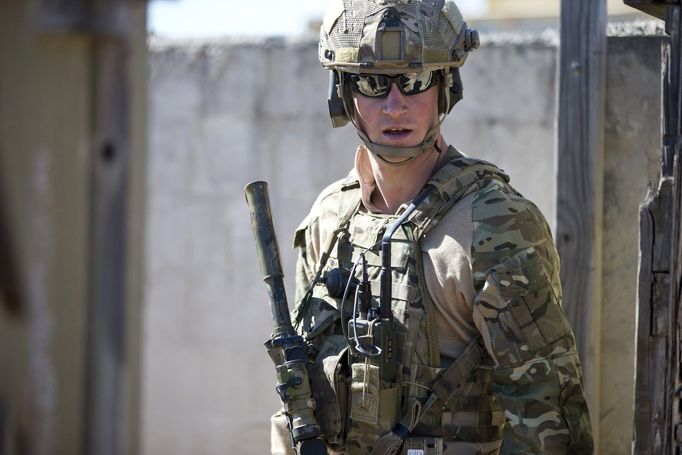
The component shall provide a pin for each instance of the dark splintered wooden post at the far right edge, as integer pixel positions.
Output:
(658, 428)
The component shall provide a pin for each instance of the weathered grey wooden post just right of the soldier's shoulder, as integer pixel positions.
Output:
(579, 161)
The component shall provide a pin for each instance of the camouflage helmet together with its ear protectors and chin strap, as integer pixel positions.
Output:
(394, 37)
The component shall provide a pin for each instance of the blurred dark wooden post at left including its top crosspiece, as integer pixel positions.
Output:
(107, 23)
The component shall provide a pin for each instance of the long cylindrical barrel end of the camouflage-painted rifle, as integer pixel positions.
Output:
(268, 253)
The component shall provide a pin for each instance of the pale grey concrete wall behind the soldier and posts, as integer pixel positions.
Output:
(225, 113)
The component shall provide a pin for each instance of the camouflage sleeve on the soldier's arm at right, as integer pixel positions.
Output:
(537, 376)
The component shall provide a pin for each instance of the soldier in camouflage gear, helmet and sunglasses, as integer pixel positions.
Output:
(427, 287)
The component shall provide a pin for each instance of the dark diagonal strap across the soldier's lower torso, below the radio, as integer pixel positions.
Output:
(445, 384)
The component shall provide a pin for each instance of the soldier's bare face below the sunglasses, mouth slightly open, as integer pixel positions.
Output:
(397, 119)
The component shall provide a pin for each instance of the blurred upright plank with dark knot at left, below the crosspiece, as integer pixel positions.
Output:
(107, 362)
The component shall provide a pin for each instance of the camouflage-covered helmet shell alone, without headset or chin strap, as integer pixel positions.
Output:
(394, 36)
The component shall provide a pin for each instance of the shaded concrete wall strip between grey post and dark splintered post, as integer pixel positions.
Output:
(631, 164)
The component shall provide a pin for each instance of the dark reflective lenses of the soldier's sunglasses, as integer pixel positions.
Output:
(378, 85)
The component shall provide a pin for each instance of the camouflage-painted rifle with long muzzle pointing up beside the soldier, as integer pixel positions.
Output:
(286, 348)
